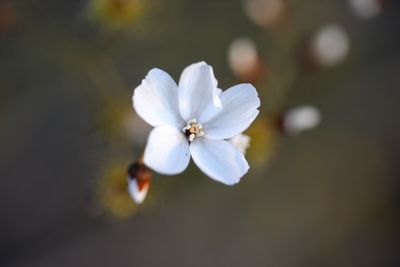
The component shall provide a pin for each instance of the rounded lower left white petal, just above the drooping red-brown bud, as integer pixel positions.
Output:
(167, 150)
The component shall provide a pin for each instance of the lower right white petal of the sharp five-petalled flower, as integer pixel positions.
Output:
(219, 159)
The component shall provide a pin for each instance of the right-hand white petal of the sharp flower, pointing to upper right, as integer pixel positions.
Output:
(240, 104)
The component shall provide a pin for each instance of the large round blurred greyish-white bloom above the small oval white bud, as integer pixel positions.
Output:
(330, 45)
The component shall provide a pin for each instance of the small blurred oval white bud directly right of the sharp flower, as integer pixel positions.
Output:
(301, 118)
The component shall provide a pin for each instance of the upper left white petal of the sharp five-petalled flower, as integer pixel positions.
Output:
(156, 99)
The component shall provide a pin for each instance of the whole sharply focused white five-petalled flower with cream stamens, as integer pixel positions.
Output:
(194, 119)
